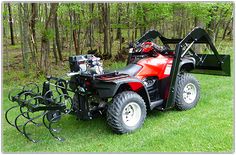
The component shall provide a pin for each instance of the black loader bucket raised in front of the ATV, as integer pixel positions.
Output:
(208, 64)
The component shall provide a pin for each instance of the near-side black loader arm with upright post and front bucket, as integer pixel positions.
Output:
(213, 64)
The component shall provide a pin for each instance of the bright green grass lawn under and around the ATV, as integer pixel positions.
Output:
(209, 127)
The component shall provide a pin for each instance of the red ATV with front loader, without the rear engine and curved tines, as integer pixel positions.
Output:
(155, 77)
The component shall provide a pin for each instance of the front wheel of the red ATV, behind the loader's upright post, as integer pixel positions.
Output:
(188, 92)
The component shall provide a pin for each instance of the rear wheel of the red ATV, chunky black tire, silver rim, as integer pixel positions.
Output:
(127, 112)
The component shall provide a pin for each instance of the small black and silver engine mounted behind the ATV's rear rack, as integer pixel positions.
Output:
(86, 64)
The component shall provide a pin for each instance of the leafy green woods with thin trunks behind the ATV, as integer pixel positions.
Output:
(47, 33)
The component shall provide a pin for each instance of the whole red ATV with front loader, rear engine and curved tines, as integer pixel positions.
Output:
(155, 77)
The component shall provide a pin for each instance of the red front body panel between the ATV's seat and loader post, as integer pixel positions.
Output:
(159, 66)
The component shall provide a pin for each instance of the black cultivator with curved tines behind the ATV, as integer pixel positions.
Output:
(48, 106)
